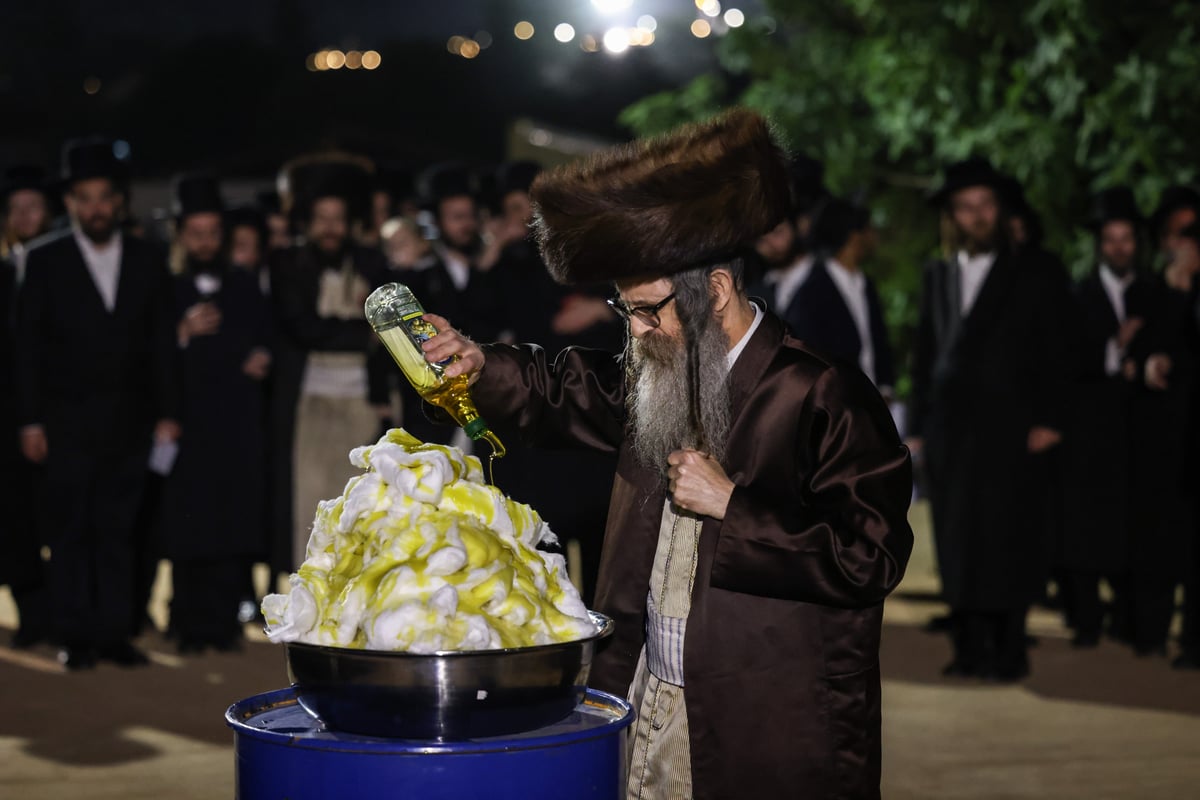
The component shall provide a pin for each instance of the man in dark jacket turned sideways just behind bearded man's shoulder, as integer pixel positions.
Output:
(837, 309)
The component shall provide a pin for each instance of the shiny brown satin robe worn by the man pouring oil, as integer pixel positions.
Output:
(782, 654)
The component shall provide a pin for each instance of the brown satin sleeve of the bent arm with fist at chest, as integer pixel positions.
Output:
(844, 539)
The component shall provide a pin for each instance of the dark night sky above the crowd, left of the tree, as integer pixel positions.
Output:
(224, 85)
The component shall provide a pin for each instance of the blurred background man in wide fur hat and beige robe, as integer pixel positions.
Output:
(326, 402)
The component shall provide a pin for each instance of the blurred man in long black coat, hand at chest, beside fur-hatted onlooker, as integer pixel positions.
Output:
(214, 515)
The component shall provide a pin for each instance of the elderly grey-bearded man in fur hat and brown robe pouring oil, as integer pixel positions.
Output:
(758, 518)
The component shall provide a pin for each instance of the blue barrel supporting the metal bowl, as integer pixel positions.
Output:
(283, 753)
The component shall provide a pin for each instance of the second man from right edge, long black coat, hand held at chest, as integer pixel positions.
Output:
(1111, 311)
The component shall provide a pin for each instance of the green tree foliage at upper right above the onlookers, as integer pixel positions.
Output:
(1070, 97)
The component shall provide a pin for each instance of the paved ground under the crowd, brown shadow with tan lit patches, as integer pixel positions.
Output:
(1095, 725)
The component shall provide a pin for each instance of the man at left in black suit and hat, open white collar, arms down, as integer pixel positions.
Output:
(95, 348)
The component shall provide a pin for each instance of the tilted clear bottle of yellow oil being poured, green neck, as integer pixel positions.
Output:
(398, 320)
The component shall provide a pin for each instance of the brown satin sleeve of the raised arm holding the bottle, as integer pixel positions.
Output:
(575, 401)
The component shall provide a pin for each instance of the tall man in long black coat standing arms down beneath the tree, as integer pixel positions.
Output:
(986, 410)
